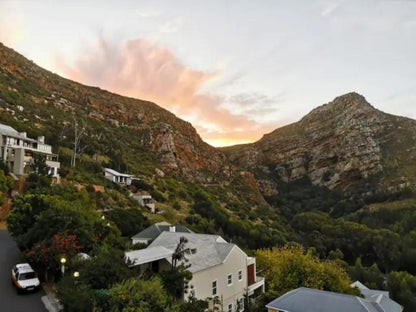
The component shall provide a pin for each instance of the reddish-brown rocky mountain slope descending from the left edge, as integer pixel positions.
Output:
(131, 133)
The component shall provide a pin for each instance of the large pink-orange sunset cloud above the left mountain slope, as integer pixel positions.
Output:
(141, 69)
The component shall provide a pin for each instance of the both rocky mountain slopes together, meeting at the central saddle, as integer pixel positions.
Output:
(343, 144)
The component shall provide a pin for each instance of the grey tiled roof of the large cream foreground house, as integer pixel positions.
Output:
(210, 250)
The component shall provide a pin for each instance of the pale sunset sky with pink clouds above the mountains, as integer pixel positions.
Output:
(235, 69)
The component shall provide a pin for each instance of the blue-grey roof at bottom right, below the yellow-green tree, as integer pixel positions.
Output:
(313, 300)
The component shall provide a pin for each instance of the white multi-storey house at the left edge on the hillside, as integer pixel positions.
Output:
(17, 150)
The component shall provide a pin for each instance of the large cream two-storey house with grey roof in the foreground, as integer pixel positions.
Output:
(219, 269)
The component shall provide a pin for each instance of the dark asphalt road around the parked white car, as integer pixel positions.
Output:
(10, 301)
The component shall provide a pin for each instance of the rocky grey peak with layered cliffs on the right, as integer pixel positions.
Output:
(336, 146)
